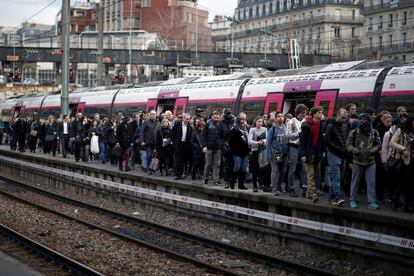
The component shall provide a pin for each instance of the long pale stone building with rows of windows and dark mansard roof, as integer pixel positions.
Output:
(320, 26)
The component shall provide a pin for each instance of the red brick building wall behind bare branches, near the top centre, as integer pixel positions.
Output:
(181, 24)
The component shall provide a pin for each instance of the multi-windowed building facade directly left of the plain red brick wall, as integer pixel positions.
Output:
(121, 15)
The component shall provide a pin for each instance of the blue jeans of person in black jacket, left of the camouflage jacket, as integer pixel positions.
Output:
(336, 167)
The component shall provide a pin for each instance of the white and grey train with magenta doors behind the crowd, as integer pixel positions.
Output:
(380, 88)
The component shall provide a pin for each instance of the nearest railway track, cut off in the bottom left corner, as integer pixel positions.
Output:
(52, 262)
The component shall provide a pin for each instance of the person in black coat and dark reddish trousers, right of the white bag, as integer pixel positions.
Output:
(125, 136)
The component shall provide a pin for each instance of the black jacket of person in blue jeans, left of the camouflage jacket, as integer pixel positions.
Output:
(335, 137)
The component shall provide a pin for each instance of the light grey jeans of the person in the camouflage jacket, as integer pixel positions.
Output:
(369, 172)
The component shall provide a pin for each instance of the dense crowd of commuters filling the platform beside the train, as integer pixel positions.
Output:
(345, 155)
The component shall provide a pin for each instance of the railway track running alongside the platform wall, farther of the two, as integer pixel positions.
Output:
(221, 257)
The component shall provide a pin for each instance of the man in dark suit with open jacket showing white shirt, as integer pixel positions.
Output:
(181, 137)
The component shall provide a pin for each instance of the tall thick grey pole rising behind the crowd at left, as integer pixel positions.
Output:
(65, 56)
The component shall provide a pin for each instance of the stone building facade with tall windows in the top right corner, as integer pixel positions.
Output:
(389, 28)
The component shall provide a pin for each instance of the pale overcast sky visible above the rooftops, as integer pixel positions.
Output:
(15, 12)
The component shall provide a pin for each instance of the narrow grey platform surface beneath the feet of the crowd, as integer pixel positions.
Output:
(384, 214)
